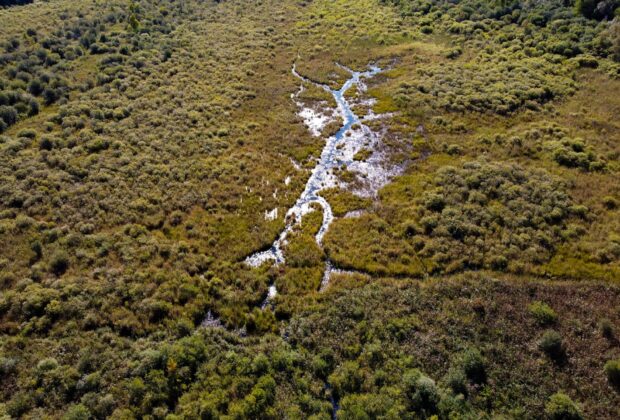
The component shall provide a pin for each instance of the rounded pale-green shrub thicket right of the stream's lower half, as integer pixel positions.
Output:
(471, 208)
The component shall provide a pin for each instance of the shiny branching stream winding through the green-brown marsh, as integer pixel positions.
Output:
(320, 178)
